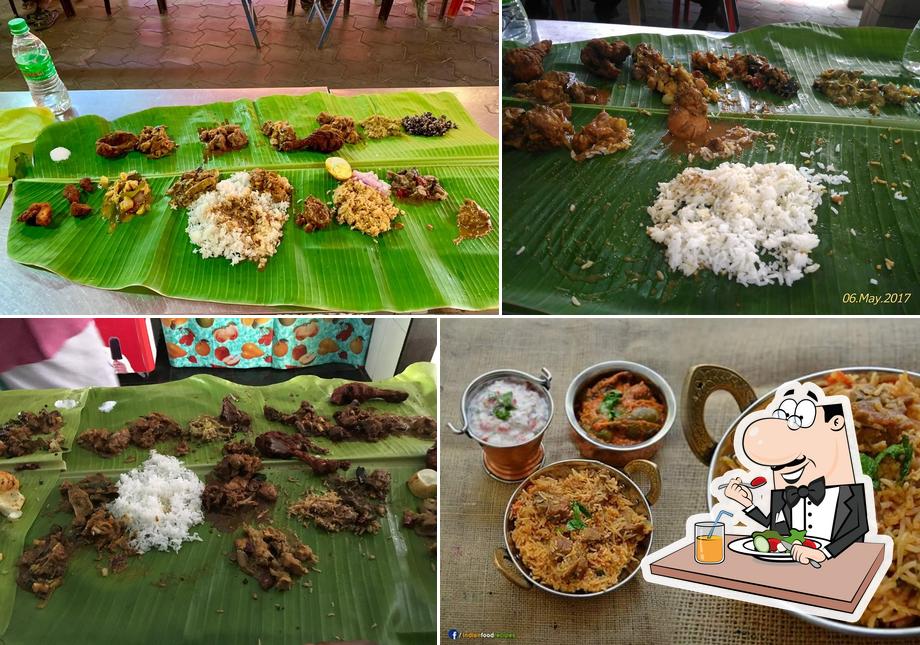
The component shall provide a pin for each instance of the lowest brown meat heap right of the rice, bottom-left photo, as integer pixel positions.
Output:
(273, 557)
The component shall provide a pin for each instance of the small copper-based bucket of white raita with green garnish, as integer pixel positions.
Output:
(507, 411)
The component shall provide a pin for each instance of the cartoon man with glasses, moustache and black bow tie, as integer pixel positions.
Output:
(808, 441)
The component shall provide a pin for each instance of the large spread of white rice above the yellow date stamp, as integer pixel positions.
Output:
(751, 223)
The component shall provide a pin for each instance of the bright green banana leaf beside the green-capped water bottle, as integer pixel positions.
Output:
(412, 269)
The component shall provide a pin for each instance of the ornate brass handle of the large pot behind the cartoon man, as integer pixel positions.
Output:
(702, 381)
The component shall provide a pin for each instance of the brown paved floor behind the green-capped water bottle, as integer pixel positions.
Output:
(206, 43)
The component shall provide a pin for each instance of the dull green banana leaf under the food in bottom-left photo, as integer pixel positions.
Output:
(380, 587)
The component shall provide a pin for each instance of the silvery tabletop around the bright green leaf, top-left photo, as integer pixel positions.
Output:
(34, 291)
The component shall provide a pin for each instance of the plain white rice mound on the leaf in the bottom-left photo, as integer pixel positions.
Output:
(160, 501)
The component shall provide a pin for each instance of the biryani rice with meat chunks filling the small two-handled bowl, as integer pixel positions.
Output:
(591, 565)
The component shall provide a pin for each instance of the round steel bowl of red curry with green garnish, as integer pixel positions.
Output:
(619, 411)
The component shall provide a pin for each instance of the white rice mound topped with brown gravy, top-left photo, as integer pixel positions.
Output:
(237, 223)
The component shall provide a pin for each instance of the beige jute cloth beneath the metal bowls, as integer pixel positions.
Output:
(475, 596)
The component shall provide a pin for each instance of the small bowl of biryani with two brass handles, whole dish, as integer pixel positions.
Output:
(578, 528)
